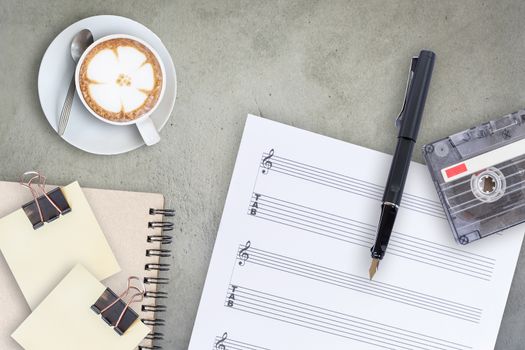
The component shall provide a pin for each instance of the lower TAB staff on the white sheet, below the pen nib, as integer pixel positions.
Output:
(332, 322)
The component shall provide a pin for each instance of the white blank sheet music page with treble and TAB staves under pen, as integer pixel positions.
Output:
(290, 264)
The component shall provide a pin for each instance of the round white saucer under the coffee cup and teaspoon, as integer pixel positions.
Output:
(84, 131)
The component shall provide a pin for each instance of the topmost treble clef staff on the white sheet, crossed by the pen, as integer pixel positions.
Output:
(345, 183)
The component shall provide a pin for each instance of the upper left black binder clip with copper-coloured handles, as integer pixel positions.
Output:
(46, 208)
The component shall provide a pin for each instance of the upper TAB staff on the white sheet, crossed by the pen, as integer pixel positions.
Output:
(362, 234)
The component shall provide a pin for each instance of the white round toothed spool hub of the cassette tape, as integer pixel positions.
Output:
(489, 185)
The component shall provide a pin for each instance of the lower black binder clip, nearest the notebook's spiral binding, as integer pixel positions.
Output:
(114, 311)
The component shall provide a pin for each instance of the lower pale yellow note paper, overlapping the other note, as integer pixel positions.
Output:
(65, 321)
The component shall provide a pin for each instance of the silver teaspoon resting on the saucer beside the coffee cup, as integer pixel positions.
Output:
(80, 43)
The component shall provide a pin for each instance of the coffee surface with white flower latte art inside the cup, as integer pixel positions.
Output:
(120, 79)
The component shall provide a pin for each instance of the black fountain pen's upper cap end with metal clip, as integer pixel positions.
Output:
(417, 90)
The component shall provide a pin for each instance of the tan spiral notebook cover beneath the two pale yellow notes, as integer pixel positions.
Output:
(132, 233)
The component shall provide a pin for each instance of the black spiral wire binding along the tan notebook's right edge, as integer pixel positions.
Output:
(162, 239)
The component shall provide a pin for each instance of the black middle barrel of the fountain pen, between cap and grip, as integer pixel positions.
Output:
(398, 171)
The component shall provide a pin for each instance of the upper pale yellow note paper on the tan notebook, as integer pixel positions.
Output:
(40, 258)
